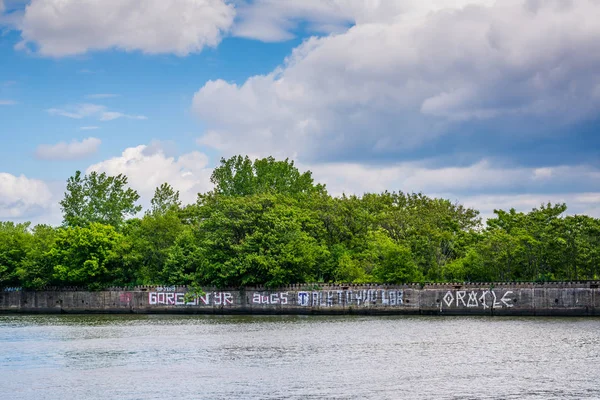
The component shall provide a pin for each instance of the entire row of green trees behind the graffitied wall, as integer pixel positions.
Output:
(267, 223)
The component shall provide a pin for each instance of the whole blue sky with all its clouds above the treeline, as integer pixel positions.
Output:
(492, 104)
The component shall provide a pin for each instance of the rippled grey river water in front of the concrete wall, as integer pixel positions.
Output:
(195, 357)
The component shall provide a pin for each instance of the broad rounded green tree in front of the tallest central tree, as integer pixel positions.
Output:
(260, 239)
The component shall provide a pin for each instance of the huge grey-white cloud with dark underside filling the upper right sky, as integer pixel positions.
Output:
(397, 82)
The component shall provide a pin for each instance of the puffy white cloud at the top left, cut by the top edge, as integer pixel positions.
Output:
(70, 27)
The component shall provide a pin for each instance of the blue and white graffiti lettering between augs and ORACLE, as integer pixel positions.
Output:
(350, 297)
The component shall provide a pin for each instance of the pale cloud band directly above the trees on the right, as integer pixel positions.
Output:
(482, 186)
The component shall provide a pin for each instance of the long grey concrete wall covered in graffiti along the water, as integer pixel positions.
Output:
(568, 299)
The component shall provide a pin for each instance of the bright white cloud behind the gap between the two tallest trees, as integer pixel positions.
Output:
(147, 167)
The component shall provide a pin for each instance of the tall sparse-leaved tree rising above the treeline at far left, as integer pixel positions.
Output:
(98, 198)
